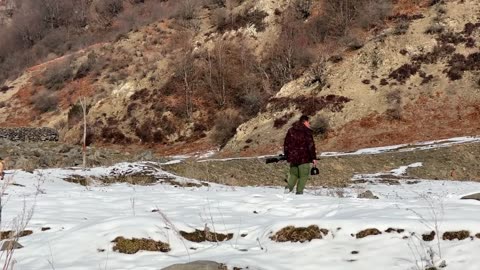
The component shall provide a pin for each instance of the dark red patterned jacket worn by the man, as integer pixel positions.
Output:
(299, 146)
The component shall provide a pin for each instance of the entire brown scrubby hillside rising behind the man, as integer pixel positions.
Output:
(169, 72)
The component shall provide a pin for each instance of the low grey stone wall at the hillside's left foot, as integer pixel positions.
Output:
(29, 134)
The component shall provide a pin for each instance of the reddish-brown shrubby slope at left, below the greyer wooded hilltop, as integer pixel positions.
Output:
(134, 85)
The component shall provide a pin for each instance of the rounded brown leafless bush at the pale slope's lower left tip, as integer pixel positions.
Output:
(226, 124)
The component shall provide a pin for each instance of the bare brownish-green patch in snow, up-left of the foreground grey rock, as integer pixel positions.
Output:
(132, 246)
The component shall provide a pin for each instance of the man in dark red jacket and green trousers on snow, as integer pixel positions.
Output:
(299, 148)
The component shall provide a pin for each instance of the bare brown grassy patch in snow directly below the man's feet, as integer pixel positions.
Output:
(300, 234)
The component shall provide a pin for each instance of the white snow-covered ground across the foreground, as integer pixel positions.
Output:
(84, 221)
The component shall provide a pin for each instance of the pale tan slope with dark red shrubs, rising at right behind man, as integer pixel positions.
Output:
(411, 82)
